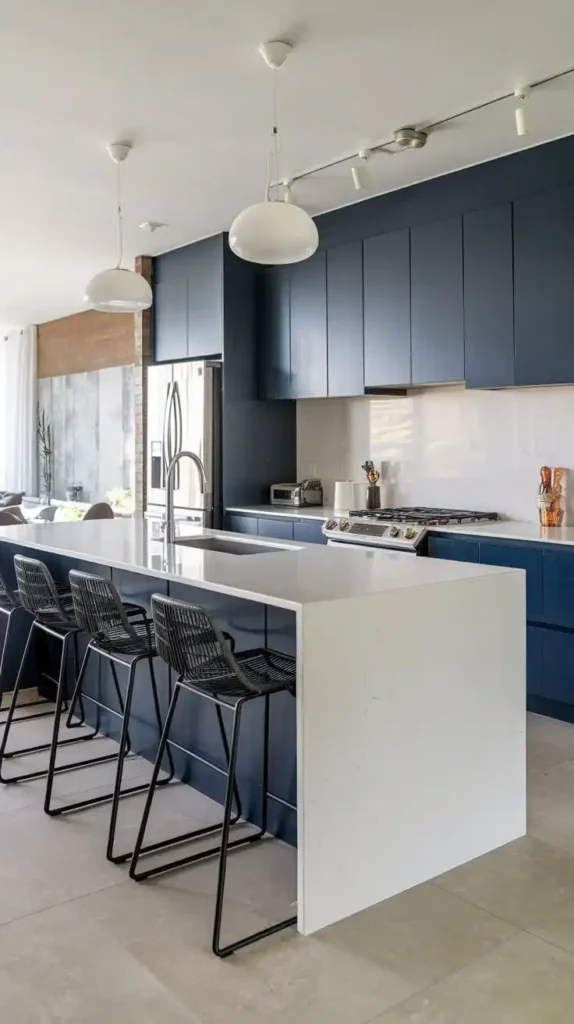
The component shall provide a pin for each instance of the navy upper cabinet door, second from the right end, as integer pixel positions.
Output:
(490, 337)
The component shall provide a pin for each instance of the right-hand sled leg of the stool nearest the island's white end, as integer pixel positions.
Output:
(218, 950)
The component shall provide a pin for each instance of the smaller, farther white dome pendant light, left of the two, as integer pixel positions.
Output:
(119, 290)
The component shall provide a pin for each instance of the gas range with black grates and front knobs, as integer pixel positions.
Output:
(395, 530)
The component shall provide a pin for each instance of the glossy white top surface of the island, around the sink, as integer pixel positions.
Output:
(291, 577)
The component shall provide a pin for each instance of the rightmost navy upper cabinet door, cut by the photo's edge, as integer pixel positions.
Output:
(544, 234)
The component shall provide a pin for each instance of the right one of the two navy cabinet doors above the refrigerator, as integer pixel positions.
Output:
(205, 298)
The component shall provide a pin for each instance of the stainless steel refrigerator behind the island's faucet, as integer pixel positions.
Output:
(185, 415)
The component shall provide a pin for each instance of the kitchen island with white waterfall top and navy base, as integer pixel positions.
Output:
(405, 750)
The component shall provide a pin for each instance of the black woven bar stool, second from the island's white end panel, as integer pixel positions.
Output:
(99, 611)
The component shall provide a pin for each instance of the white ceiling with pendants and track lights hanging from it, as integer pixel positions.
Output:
(183, 79)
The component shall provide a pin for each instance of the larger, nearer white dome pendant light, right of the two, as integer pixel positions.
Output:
(277, 231)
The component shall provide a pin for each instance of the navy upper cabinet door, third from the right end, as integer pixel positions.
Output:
(436, 303)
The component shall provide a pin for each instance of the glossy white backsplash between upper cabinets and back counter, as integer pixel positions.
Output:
(445, 446)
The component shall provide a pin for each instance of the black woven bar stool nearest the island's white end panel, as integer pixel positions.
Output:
(192, 644)
